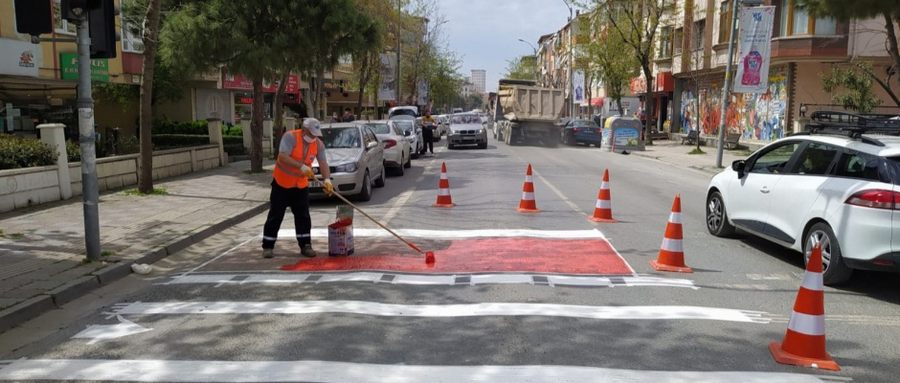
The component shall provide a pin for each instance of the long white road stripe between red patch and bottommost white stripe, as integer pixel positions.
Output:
(443, 311)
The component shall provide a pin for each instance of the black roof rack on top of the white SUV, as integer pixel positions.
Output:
(853, 125)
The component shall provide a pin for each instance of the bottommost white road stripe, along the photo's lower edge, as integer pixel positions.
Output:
(327, 372)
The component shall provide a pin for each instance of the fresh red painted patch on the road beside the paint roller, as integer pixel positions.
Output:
(588, 256)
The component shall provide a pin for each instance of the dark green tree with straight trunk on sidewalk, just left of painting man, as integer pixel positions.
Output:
(246, 37)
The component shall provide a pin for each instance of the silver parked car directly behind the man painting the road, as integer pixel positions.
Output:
(355, 158)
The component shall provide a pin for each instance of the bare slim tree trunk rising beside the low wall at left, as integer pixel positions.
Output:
(151, 32)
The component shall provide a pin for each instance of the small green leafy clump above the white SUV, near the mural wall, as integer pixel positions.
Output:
(851, 87)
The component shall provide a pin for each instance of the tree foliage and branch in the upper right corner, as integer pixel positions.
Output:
(887, 10)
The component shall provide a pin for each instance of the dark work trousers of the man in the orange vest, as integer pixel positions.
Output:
(280, 199)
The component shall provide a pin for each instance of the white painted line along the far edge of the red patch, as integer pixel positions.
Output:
(460, 234)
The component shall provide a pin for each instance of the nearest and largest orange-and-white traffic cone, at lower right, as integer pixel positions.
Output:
(804, 341)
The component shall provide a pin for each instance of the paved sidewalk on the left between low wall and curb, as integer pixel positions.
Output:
(42, 249)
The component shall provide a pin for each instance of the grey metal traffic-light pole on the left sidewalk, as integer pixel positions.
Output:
(85, 103)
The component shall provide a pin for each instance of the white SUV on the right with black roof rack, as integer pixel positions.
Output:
(838, 189)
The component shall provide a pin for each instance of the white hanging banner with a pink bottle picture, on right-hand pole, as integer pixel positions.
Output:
(755, 36)
